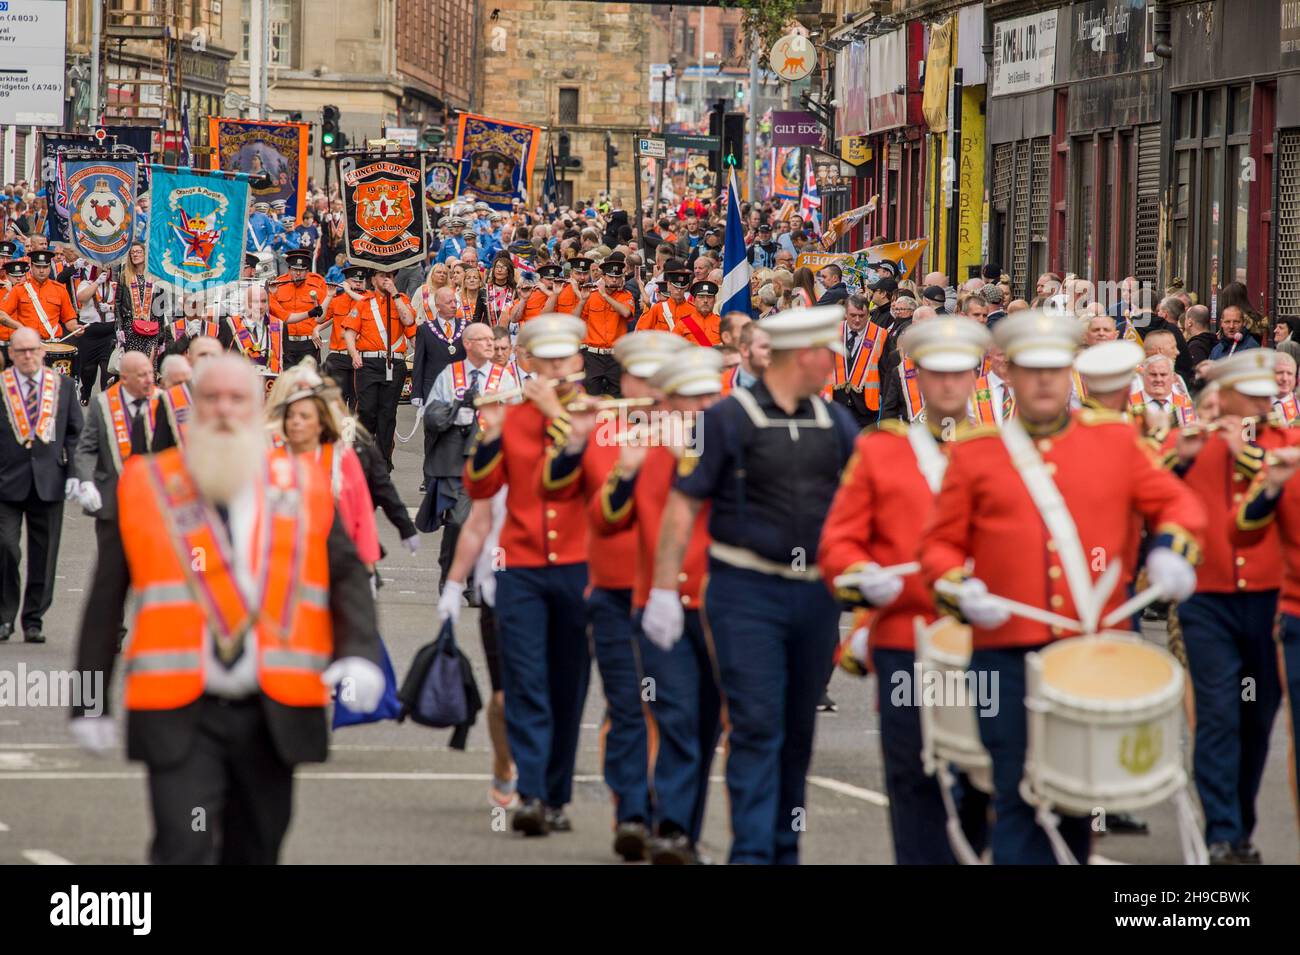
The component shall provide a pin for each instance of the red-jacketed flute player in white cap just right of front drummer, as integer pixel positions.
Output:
(1228, 623)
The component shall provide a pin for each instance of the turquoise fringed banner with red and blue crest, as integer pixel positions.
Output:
(197, 228)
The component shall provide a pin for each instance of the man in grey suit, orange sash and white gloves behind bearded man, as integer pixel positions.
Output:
(103, 448)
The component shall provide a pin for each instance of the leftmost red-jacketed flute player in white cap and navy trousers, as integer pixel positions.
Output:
(540, 592)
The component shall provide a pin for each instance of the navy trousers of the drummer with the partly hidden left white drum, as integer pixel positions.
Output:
(917, 817)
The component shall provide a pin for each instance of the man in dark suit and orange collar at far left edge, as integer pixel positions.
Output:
(37, 452)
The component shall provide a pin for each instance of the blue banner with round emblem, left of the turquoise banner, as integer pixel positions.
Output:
(101, 209)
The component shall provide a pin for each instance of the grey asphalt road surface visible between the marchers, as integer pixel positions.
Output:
(397, 795)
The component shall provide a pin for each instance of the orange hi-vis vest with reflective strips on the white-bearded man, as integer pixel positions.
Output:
(187, 588)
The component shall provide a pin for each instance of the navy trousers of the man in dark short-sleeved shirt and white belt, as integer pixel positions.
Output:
(775, 640)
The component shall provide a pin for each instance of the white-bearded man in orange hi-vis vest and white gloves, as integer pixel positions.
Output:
(253, 605)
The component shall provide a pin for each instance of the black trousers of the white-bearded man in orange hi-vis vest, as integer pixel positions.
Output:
(229, 801)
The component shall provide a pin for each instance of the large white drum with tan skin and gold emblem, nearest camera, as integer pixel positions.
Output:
(1106, 720)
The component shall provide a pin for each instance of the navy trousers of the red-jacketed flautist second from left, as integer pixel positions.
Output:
(626, 752)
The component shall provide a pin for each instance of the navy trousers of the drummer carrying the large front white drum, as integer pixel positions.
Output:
(1017, 839)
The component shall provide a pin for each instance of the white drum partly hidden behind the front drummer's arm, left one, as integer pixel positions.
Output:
(950, 728)
